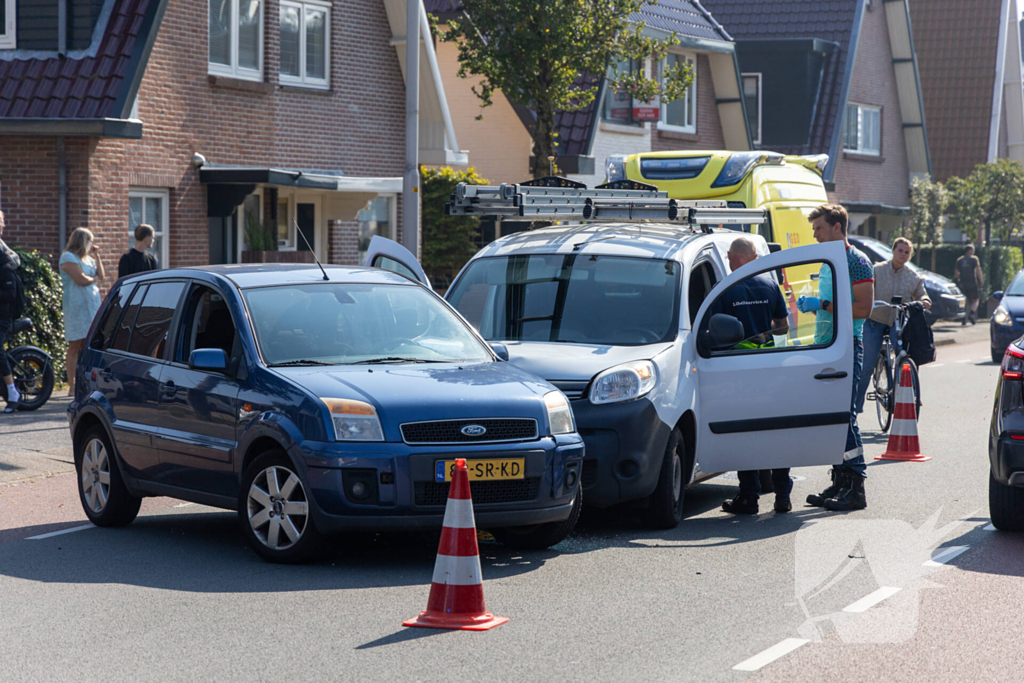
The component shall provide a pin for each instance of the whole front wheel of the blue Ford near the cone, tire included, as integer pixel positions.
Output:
(273, 504)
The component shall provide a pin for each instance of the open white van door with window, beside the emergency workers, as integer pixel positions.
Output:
(767, 406)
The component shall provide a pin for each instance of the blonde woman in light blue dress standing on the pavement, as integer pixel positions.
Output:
(81, 270)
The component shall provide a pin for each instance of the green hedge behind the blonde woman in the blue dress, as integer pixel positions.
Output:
(46, 297)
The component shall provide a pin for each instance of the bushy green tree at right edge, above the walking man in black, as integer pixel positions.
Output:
(990, 202)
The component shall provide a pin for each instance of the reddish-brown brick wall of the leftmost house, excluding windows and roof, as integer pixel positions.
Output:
(357, 127)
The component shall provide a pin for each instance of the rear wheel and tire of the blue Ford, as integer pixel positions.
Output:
(101, 489)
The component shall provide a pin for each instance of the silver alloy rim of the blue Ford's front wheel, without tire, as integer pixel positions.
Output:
(278, 507)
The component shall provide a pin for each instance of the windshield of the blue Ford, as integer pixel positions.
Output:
(337, 324)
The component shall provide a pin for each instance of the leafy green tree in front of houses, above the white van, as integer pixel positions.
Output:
(535, 54)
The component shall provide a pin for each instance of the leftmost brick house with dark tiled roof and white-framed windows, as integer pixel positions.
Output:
(205, 118)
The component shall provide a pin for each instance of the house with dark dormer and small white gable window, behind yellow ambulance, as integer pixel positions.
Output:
(839, 77)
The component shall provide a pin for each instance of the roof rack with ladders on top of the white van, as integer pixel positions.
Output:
(553, 198)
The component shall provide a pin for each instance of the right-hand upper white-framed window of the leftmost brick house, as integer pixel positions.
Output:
(306, 44)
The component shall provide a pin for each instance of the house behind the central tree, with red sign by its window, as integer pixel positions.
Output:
(711, 116)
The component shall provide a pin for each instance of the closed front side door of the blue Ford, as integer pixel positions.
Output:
(199, 410)
